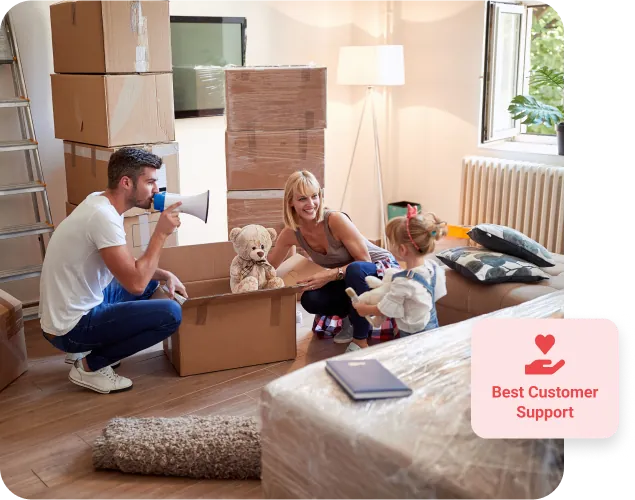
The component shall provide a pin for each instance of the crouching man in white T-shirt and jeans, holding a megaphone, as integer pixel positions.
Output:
(93, 293)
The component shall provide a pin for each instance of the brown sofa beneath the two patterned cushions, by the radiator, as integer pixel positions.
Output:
(468, 298)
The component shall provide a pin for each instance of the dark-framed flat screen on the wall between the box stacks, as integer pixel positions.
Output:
(201, 47)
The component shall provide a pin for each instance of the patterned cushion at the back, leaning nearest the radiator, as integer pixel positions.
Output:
(511, 242)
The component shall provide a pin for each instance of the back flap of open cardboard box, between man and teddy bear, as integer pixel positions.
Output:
(207, 261)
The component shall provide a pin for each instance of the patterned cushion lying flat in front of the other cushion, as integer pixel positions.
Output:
(486, 266)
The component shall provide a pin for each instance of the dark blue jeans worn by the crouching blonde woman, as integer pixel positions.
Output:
(331, 299)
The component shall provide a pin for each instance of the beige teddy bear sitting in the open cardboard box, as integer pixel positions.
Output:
(250, 270)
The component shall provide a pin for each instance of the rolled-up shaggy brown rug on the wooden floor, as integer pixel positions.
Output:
(216, 447)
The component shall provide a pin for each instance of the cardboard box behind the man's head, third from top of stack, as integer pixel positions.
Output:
(87, 168)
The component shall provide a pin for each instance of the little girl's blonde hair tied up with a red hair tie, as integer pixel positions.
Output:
(425, 230)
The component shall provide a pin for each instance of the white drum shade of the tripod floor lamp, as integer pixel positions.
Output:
(371, 65)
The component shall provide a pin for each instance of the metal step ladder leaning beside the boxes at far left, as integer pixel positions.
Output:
(36, 187)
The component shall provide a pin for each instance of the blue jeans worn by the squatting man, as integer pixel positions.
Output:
(122, 325)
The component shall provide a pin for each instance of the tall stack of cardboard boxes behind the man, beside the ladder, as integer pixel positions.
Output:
(112, 87)
